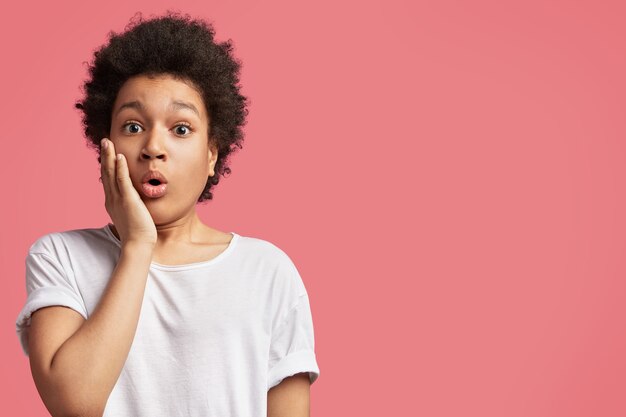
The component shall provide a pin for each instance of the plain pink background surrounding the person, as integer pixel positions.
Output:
(448, 177)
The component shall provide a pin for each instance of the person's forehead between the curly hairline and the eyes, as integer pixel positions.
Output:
(159, 93)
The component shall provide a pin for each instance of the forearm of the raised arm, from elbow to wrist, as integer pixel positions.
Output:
(87, 366)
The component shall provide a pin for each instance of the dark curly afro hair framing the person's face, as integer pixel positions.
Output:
(185, 49)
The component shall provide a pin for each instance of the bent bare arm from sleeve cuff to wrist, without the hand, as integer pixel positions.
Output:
(75, 375)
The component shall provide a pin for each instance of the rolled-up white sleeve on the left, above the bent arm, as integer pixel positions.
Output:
(47, 284)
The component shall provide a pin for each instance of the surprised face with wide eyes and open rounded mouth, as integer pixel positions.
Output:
(160, 123)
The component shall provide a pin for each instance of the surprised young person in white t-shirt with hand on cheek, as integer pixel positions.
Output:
(157, 314)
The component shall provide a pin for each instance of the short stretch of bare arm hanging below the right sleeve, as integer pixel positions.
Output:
(290, 398)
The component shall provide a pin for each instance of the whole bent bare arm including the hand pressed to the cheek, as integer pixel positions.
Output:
(76, 362)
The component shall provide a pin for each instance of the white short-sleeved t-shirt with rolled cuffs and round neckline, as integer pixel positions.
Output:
(212, 338)
